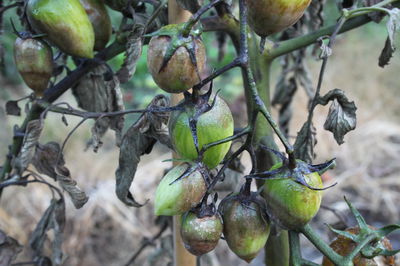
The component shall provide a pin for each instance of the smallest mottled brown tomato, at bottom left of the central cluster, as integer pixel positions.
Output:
(200, 235)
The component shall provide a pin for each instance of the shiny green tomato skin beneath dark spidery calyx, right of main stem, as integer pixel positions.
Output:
(291, 204)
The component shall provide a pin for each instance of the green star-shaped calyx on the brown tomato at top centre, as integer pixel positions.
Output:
(176, 32)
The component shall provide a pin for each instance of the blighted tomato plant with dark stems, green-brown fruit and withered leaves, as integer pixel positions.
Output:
(199, 128)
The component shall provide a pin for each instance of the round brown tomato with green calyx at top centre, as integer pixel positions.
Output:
(175, 62)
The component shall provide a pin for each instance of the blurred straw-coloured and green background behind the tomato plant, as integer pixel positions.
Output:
(106, 232)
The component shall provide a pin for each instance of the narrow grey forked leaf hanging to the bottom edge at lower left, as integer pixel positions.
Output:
(53, 218)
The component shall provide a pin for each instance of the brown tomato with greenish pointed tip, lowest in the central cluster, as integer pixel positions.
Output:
(245, 228)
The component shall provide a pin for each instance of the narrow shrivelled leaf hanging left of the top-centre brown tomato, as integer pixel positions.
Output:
(132, 54)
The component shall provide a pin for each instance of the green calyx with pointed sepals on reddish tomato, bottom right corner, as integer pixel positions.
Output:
(376, 246)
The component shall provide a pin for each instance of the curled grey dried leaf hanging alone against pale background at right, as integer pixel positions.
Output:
(342, 114)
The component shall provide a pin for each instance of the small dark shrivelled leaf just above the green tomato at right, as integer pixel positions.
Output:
(305, 143)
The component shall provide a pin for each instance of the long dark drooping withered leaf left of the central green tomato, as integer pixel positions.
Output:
(137, 141)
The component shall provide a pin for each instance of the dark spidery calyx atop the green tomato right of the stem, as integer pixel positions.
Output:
(298, 173)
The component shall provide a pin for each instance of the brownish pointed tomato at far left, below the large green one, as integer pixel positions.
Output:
(34, 61)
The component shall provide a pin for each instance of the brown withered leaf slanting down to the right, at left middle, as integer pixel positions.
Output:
(49, 161)
